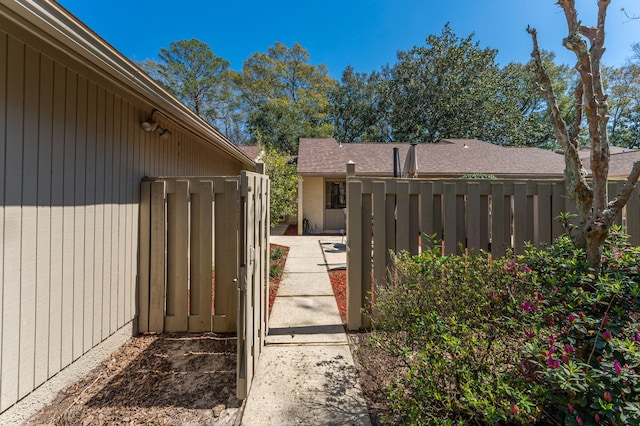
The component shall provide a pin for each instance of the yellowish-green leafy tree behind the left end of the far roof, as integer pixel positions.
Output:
(284, 96)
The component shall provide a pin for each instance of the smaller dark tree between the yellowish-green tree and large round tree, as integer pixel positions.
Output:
(356, 112)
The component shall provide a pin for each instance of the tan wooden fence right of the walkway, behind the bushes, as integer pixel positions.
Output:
(492, 215)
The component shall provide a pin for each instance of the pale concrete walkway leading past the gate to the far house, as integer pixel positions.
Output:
(306, 374)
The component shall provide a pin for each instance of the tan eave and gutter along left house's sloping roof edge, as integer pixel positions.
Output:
(54, 25)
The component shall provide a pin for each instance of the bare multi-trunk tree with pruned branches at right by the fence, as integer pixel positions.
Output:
(595, 213)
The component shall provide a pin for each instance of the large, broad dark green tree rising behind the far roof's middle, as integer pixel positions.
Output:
(450, 88)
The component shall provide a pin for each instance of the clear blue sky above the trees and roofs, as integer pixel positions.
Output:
(338, 33)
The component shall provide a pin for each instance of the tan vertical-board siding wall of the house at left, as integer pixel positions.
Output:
(72, 155)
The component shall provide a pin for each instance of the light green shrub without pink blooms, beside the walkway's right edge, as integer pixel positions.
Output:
(449, 319)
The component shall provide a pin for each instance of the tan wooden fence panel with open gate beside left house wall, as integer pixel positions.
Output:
(204, 258)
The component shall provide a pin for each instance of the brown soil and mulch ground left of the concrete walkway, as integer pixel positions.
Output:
(166, 379)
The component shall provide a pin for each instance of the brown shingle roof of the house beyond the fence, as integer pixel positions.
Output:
(449, 157)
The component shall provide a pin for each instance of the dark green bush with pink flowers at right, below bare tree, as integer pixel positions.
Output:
(583, 332)
